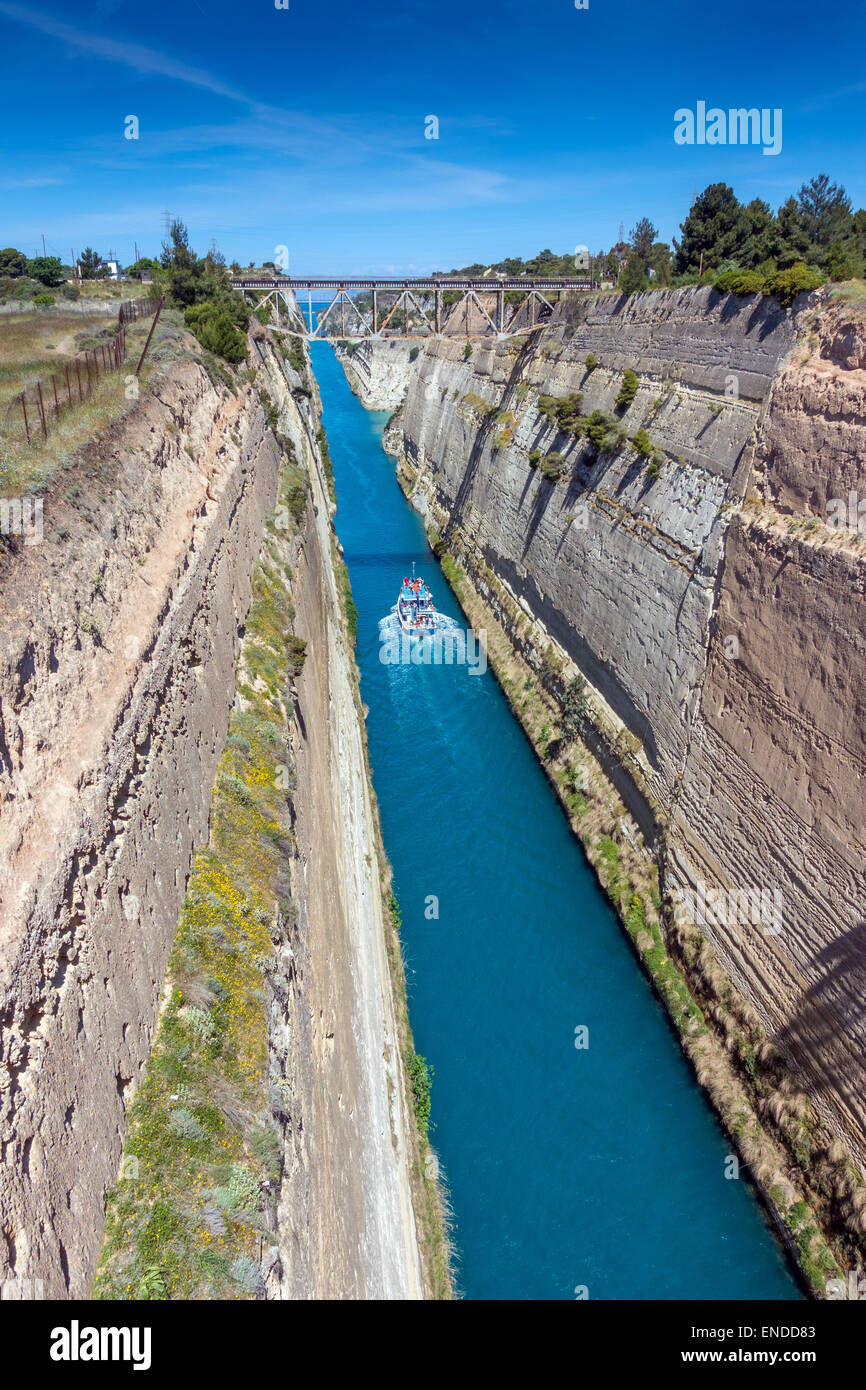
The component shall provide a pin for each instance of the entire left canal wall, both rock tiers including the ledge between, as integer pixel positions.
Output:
(119, 676)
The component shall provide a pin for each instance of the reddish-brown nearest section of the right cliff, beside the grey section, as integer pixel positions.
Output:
(774, 785)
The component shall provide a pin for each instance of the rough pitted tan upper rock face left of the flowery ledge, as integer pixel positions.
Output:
(115, 698)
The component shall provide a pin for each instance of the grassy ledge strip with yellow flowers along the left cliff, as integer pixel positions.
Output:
(187, 1218)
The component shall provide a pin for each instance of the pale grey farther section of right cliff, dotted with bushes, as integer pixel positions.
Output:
(619, 566)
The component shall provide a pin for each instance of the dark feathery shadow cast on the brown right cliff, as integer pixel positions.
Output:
(829, 1024)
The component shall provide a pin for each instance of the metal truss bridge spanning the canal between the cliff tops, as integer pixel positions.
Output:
(432, 308)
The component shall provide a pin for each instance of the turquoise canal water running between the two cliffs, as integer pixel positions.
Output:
(601, 1167)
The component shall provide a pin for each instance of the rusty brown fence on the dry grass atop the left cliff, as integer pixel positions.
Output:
(42, 402)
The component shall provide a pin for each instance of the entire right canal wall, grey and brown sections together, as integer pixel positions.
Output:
(712, 612)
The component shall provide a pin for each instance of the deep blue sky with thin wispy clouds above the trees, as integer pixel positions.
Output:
(305, 127)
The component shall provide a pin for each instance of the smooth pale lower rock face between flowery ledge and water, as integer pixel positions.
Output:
(347, 1221)
